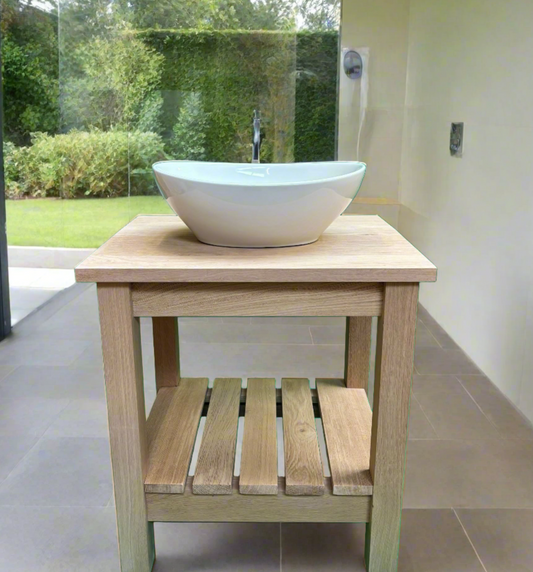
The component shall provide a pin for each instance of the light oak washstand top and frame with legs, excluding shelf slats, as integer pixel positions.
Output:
(360, 268)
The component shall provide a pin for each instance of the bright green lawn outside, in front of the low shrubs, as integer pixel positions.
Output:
(76, 223)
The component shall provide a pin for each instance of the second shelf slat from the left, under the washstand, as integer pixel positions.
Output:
(214, 471)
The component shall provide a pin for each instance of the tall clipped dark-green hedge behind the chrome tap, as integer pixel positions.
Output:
(290, 77)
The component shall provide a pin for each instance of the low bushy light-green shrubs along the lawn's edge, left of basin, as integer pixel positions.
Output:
(78, 163)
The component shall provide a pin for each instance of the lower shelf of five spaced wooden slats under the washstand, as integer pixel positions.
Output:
(173, 422)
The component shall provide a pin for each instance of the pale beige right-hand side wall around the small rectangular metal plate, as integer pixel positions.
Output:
(470, 60)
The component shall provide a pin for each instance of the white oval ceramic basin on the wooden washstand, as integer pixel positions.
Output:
(248, 205)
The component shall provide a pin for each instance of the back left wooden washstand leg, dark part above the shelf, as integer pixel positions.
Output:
(166, 352)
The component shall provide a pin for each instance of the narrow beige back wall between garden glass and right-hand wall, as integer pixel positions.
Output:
(382, 26)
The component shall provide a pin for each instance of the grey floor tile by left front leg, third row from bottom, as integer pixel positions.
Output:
(81, 418)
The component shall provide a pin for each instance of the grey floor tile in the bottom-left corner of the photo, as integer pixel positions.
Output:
(58, 540)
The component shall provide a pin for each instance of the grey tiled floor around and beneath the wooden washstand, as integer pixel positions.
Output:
(468, 489)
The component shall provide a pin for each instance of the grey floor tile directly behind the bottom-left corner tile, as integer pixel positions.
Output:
(61, 472)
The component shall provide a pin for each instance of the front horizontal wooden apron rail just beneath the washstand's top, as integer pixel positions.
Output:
(249, 299)
